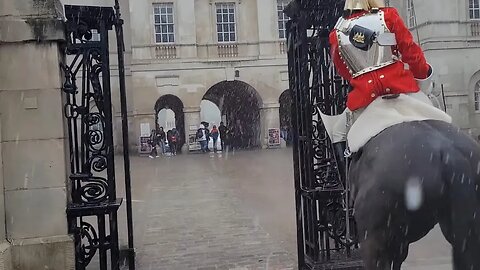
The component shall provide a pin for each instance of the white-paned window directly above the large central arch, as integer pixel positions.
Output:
(226, 28)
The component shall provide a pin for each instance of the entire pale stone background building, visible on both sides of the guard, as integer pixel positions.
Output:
(178, 55)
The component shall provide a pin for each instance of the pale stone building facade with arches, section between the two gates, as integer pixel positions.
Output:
(184, 48)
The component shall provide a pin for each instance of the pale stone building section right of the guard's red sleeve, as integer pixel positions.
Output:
(449, 33)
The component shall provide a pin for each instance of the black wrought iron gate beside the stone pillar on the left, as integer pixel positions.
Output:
(93, 203)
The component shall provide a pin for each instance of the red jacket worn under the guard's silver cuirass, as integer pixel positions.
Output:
(392, 79)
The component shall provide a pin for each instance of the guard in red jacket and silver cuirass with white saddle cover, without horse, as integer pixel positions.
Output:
(390, 78)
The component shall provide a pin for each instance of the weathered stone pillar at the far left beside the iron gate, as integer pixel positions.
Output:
(32, 139)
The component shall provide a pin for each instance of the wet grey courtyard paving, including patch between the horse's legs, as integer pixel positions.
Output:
(228, 211)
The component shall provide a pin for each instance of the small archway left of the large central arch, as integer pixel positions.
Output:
(163, 106)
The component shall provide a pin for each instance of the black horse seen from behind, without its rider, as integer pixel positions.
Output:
(430, 158)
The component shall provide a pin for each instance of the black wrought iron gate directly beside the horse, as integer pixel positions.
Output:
(325, 225)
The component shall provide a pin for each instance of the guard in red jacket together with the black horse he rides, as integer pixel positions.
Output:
(410, 167)
